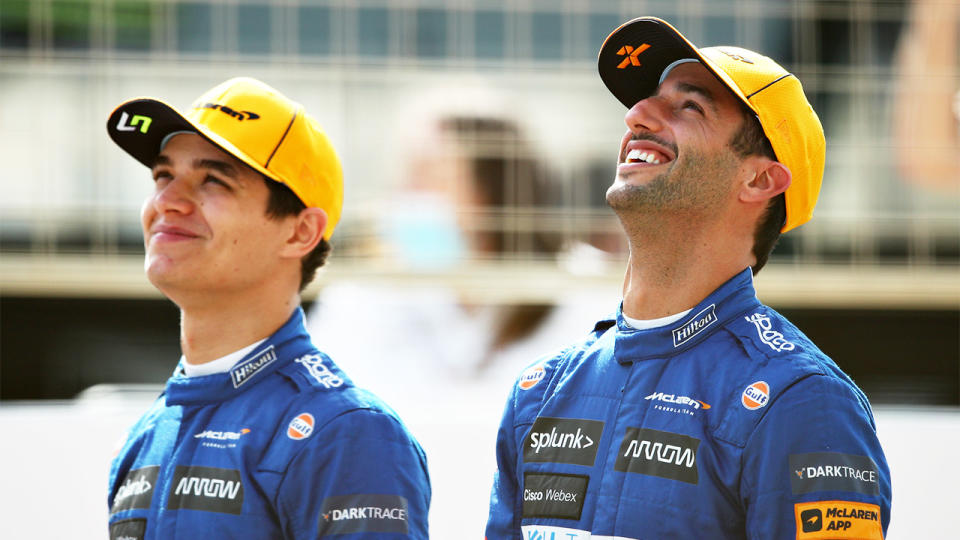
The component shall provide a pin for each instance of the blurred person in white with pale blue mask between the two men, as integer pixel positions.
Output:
(443, 359)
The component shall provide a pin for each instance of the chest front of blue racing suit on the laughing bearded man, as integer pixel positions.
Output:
(641, 441)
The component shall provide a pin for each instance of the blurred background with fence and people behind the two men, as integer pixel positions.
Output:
(477, 142)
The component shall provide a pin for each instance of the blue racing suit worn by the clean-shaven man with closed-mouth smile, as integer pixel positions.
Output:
(282, 446)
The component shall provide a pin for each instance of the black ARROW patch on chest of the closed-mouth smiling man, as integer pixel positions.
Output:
(206, 488)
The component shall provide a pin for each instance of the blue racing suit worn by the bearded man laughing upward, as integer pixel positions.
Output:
(729, 424)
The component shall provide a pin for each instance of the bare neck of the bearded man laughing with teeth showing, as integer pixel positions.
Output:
(677, 261)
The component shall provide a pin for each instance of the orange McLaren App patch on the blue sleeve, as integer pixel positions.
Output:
(823, 520)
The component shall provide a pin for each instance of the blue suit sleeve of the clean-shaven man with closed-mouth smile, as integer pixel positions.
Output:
(361, 476)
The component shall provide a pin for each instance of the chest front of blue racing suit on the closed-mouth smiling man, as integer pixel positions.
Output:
(221, 461)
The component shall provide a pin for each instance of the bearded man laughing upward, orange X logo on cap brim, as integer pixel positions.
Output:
(695, 411)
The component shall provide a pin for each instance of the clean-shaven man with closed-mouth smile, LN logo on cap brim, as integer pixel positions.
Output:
(258, 434)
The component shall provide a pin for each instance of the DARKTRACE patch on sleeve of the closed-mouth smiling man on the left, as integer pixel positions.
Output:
(364, 512)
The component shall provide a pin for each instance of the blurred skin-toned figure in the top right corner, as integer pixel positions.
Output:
(926, 105)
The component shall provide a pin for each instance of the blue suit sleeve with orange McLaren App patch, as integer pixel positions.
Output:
(820, 424)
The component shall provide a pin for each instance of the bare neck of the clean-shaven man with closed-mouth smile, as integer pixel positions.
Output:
(210, 330)
